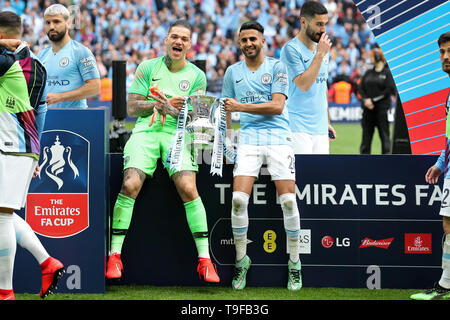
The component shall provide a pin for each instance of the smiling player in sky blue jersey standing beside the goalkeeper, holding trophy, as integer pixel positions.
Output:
(257, 87)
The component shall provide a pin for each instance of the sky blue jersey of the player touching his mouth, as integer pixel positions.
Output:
(308, 111)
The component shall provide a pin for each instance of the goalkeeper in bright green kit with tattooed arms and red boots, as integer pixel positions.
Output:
(152, 137)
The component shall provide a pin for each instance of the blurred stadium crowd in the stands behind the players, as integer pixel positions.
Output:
(133, 30)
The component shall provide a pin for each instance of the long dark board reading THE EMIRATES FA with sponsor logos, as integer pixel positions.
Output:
(367, 221)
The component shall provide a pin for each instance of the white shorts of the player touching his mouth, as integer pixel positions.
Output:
(305, 143)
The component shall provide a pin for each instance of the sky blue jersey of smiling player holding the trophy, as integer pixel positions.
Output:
(255, 87)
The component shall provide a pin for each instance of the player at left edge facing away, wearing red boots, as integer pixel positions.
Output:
(22, 114)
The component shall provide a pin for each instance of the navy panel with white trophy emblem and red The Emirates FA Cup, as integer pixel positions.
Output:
(66, 203)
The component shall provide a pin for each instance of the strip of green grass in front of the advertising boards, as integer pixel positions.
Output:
(118, 292)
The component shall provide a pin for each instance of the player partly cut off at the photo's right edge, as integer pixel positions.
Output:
(441, 289)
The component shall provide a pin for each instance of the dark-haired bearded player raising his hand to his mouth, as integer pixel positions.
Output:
(306, 57)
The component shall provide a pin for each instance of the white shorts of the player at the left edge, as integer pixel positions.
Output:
(15, 177)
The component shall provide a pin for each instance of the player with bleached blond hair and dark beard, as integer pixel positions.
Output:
(72, 70)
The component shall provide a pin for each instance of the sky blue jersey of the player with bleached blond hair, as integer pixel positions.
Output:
(68, 69)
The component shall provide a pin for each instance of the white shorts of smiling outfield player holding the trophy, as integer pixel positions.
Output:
(280, 160)
